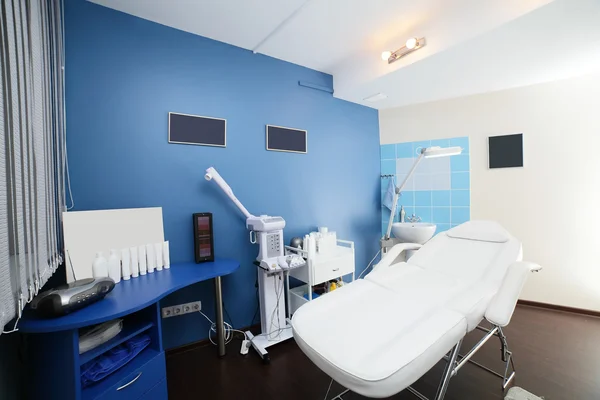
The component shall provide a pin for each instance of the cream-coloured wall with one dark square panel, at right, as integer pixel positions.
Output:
(553, 203)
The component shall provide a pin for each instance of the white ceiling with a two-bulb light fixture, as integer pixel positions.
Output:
(473, 46)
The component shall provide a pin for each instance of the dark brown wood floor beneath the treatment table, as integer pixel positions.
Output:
(557, 355)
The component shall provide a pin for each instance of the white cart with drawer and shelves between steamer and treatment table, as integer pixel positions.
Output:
(319, 269)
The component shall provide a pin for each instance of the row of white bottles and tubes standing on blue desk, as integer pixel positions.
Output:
(132, 261)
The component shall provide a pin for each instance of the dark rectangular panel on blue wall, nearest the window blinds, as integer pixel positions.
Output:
(198, 130)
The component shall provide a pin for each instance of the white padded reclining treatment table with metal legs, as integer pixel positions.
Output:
(378, 335)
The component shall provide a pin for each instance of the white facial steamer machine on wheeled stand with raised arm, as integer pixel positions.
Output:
(267, 231)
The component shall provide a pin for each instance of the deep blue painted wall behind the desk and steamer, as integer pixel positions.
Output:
(124, 74)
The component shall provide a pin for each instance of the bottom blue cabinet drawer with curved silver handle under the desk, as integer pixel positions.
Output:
(140, 380)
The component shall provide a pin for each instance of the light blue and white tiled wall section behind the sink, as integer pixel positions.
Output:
(440, 190)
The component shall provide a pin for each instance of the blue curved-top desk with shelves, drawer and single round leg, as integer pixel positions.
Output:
(54, 343)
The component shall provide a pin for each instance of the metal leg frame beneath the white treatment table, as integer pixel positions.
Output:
(455, 361)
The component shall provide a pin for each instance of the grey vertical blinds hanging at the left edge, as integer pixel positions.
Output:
(32, 149)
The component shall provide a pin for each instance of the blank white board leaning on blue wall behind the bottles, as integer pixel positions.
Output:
(87, 232)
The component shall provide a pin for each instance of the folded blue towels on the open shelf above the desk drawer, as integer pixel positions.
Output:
(104, 365)
